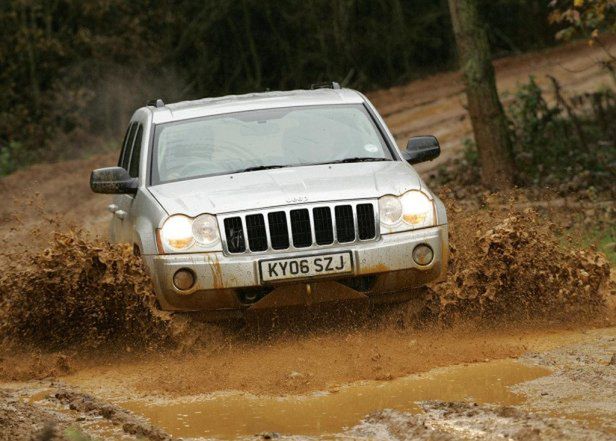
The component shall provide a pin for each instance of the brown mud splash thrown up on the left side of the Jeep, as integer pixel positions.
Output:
(81, 293)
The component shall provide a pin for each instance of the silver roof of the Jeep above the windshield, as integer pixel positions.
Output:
(253, 101)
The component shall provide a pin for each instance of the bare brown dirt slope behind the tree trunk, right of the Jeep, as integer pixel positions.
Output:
(436, 105)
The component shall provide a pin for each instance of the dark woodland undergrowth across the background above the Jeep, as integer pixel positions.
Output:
(70, 65)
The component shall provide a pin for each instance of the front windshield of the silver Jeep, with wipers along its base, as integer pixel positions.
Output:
(261, 139)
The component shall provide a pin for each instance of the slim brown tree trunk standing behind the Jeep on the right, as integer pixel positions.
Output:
(485, 109)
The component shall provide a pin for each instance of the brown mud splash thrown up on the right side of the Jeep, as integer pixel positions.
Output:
(508, 264)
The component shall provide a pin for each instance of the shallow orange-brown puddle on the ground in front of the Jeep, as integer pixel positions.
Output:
(234, 414)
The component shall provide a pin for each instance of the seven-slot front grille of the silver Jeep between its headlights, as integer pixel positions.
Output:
(303, 227)
